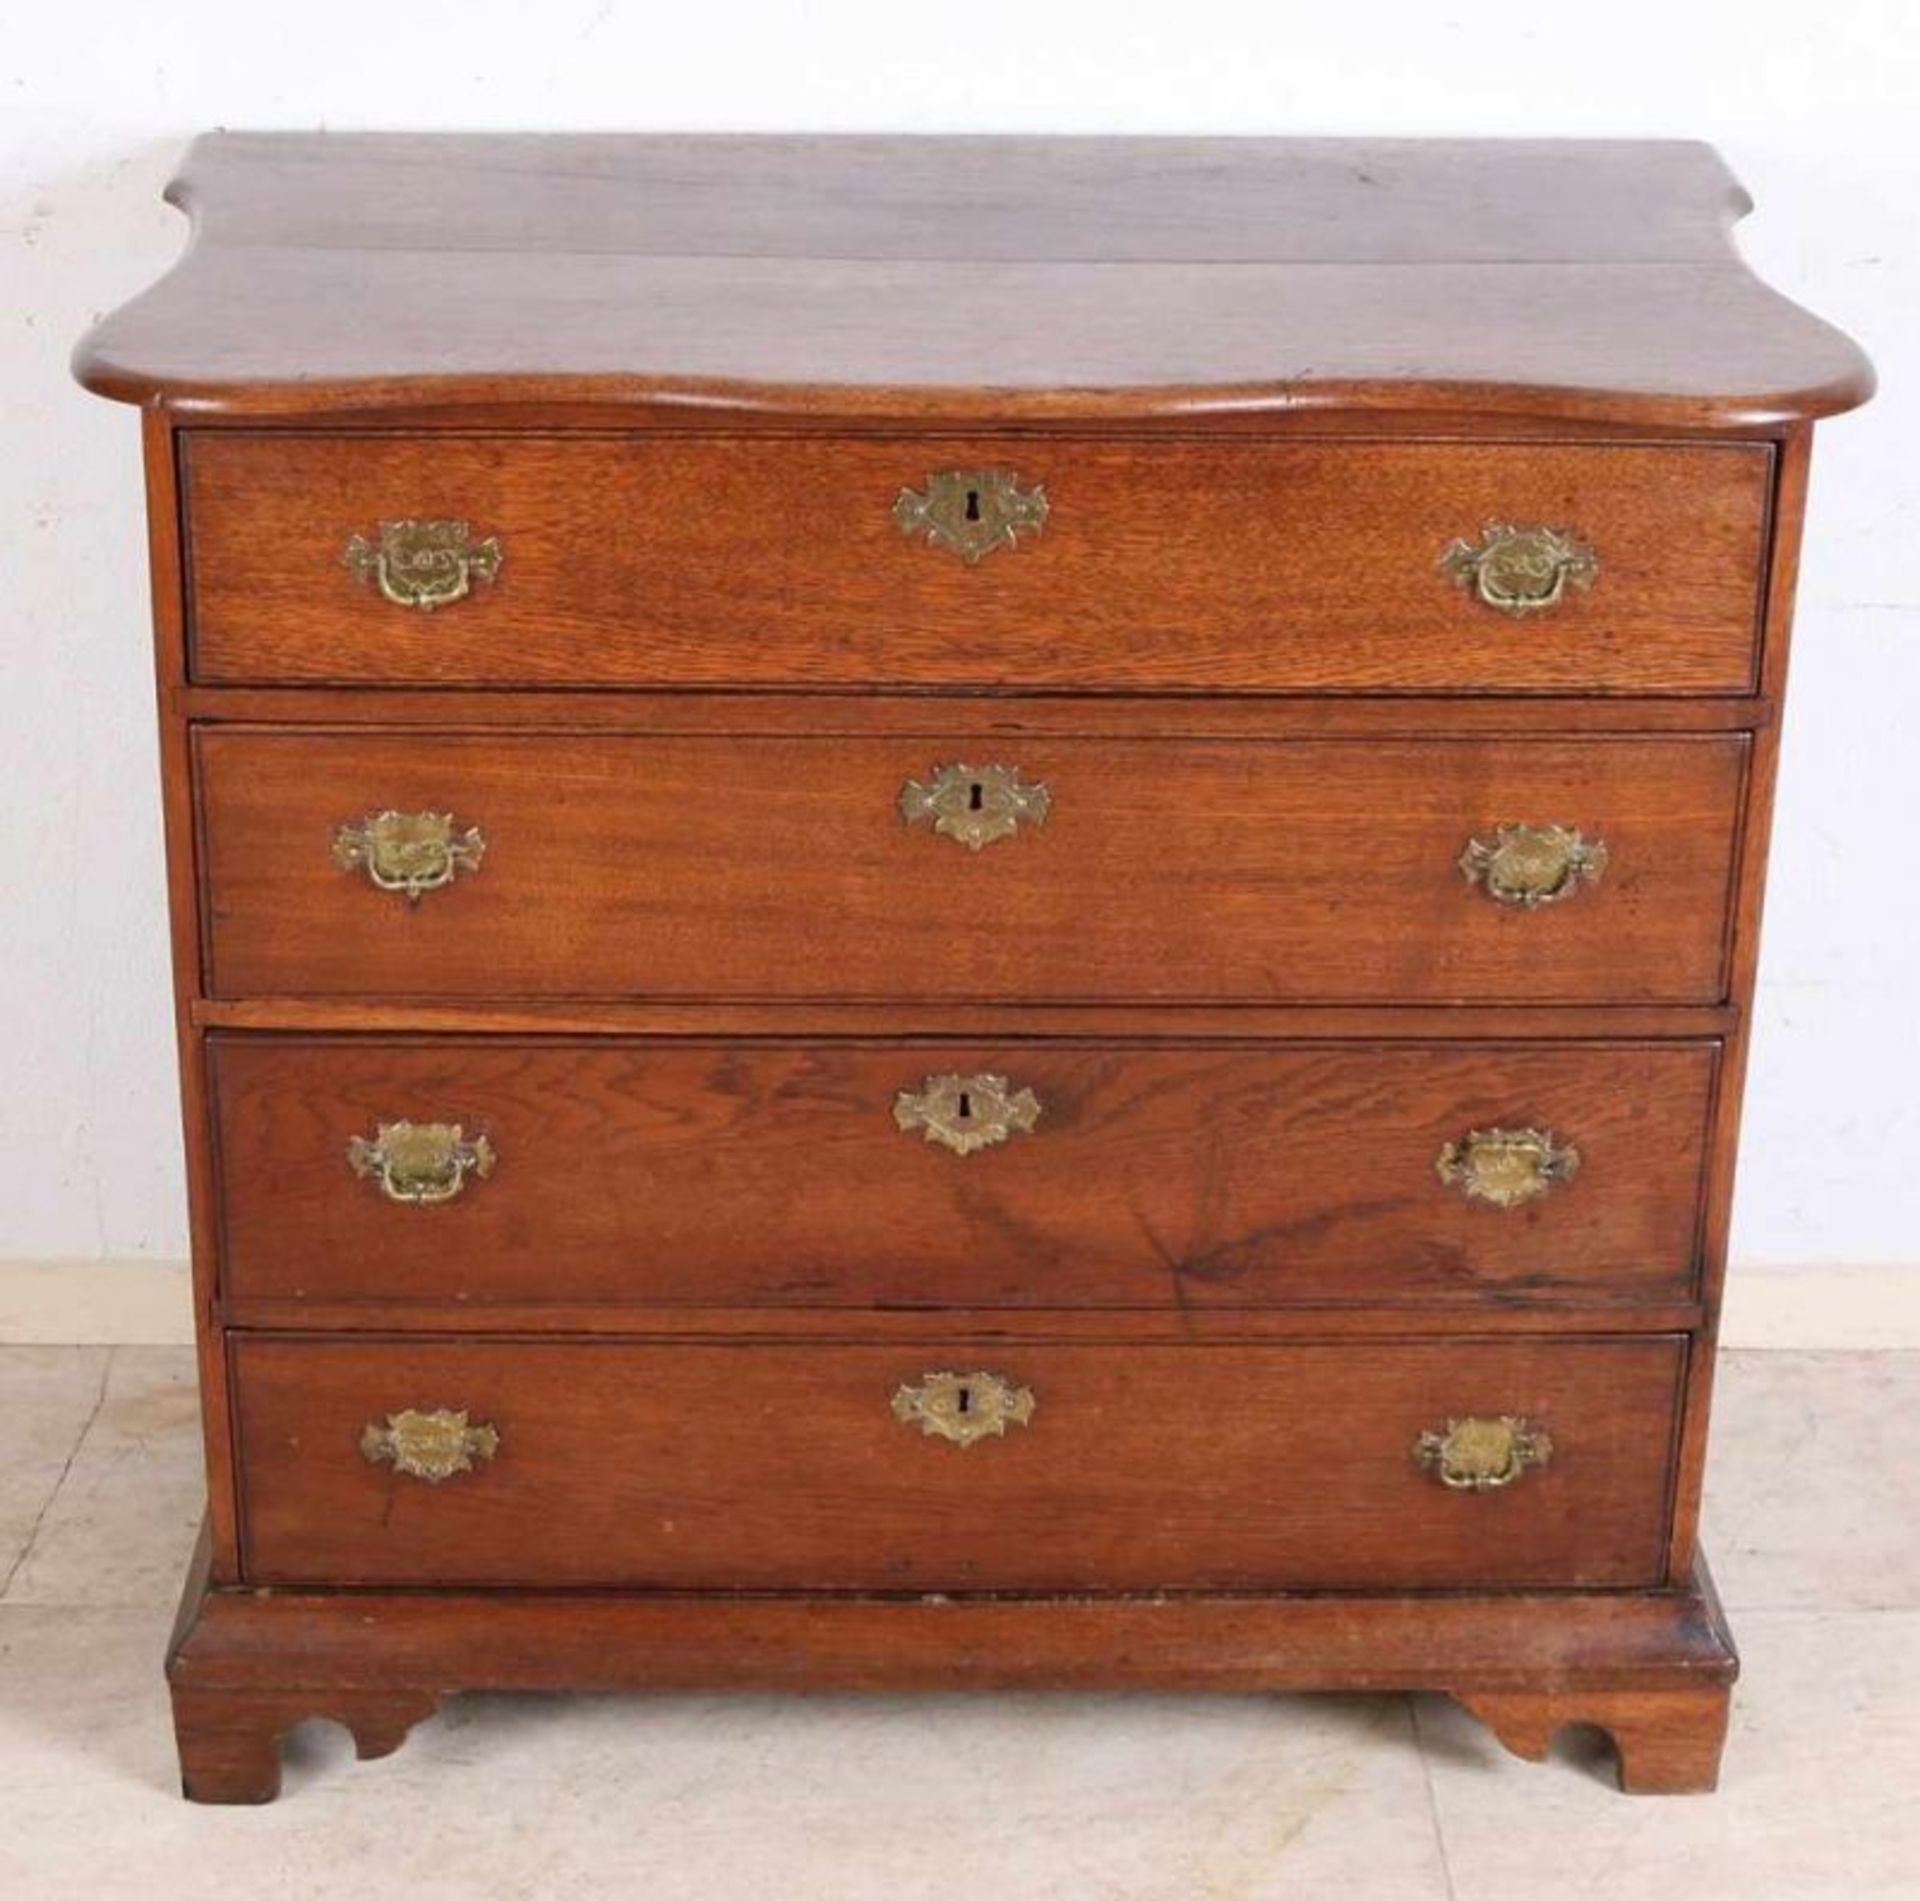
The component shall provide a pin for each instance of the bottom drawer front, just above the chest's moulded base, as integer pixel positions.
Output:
(809, 1468)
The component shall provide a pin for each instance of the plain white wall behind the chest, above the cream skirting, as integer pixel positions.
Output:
(1813, 105)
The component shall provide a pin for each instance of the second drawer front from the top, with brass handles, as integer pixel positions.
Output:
(784, 869)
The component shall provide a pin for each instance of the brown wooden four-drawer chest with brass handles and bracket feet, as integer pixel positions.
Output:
(963, 913)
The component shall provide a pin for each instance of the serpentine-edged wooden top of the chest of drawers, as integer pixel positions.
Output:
(1007, 279)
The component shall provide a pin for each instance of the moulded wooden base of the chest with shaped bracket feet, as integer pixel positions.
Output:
(247, 1664)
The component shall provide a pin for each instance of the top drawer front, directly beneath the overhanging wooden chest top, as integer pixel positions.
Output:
(779, 562)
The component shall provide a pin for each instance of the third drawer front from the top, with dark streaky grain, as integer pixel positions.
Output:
(961, 1176)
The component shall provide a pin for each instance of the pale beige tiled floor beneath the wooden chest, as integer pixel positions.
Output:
(1815, 1533)
